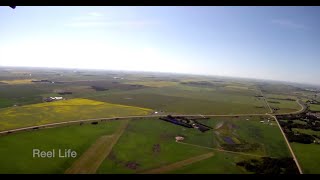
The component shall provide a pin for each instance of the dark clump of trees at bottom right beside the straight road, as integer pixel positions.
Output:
(270, 166)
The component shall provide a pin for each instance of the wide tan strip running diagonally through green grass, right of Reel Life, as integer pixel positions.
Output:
(89, 161)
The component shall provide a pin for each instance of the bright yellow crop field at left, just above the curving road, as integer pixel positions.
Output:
(65, 110)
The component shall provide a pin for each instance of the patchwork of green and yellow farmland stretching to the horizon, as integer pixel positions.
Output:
(143, 144)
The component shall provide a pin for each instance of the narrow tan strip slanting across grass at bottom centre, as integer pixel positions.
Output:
(179, 164)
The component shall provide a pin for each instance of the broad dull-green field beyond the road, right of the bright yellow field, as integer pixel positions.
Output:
(188, 100)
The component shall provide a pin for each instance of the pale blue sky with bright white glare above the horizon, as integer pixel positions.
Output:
(274, 43)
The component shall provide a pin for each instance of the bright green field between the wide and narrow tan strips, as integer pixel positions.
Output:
(137, 144)
